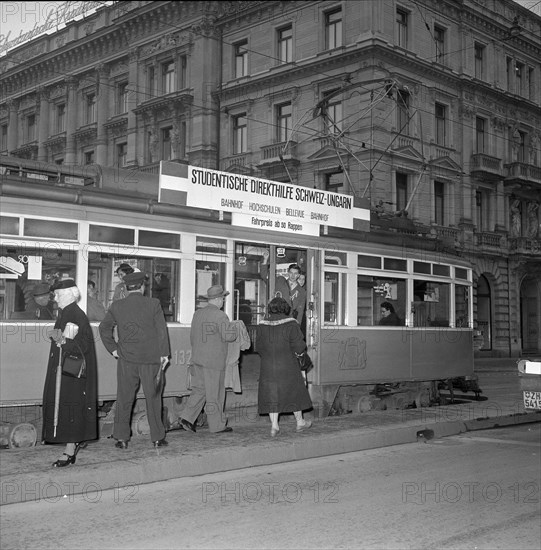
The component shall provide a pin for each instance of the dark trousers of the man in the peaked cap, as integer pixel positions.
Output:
(129, 376)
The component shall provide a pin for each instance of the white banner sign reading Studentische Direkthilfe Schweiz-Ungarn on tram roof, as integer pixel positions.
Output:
(260, 203)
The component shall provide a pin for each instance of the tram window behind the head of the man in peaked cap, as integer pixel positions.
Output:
(162, 279)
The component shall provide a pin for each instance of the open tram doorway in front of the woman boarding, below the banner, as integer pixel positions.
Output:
(257, 269)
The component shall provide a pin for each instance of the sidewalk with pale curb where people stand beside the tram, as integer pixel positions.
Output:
(26, 474)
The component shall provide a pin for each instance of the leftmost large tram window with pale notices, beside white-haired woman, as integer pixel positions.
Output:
(29, 270)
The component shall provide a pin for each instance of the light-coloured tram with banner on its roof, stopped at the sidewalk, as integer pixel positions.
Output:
(83, 222)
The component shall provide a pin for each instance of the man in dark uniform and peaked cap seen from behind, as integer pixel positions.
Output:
(142, 350)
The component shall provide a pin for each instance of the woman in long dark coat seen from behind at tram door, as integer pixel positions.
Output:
(281, 384)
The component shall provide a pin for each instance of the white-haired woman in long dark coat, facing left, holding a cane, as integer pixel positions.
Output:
(77, 415)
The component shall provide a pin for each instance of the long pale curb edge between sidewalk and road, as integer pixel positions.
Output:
(125, 478)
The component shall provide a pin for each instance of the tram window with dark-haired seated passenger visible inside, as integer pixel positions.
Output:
(374, 291)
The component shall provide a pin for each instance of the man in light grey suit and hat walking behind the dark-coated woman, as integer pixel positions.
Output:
(211, 331)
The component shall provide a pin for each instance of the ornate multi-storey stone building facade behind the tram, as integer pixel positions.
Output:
(431, 110)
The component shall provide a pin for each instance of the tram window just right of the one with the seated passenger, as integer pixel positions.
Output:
(431, 304)
